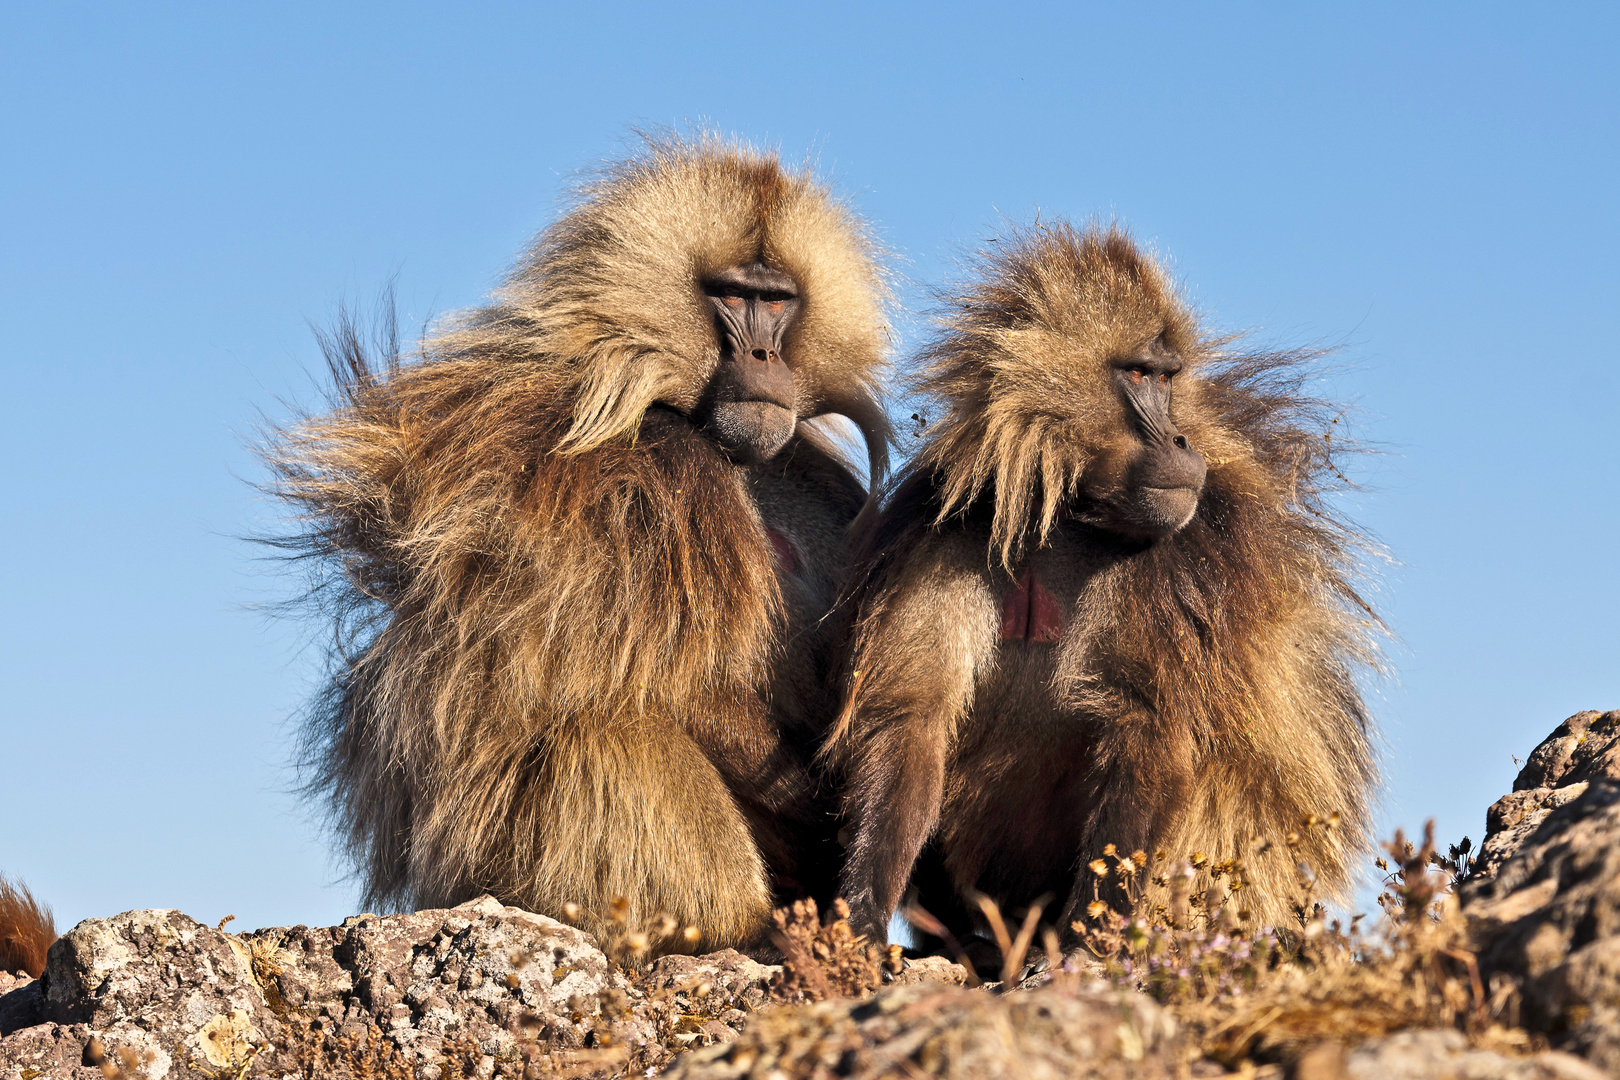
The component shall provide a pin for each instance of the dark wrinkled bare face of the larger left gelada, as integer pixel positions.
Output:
(749, 406)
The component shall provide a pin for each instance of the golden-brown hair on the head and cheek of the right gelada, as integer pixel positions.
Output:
(1015, 370)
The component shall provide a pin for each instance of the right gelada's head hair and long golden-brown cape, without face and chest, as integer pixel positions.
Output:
(1234, 645)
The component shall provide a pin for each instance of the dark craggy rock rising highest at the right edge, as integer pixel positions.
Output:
(1546, 916)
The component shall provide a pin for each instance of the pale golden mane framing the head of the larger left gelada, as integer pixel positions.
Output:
(607, 302)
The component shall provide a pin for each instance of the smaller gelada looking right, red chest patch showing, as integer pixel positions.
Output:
(1104, 605)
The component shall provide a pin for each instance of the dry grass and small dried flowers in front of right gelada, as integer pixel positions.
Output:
(1264, 995)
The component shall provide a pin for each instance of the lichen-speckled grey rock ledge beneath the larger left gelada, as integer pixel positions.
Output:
(485, 985)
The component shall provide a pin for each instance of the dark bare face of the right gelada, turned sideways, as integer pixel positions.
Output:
(1148, 483)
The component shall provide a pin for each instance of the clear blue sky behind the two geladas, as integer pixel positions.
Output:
(1428, 190)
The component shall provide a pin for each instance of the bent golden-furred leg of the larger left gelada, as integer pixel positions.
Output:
(636, 810)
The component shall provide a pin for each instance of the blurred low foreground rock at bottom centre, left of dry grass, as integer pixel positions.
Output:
(934, 1031)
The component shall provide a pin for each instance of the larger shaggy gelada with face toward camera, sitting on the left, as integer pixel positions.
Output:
(587, 542)
